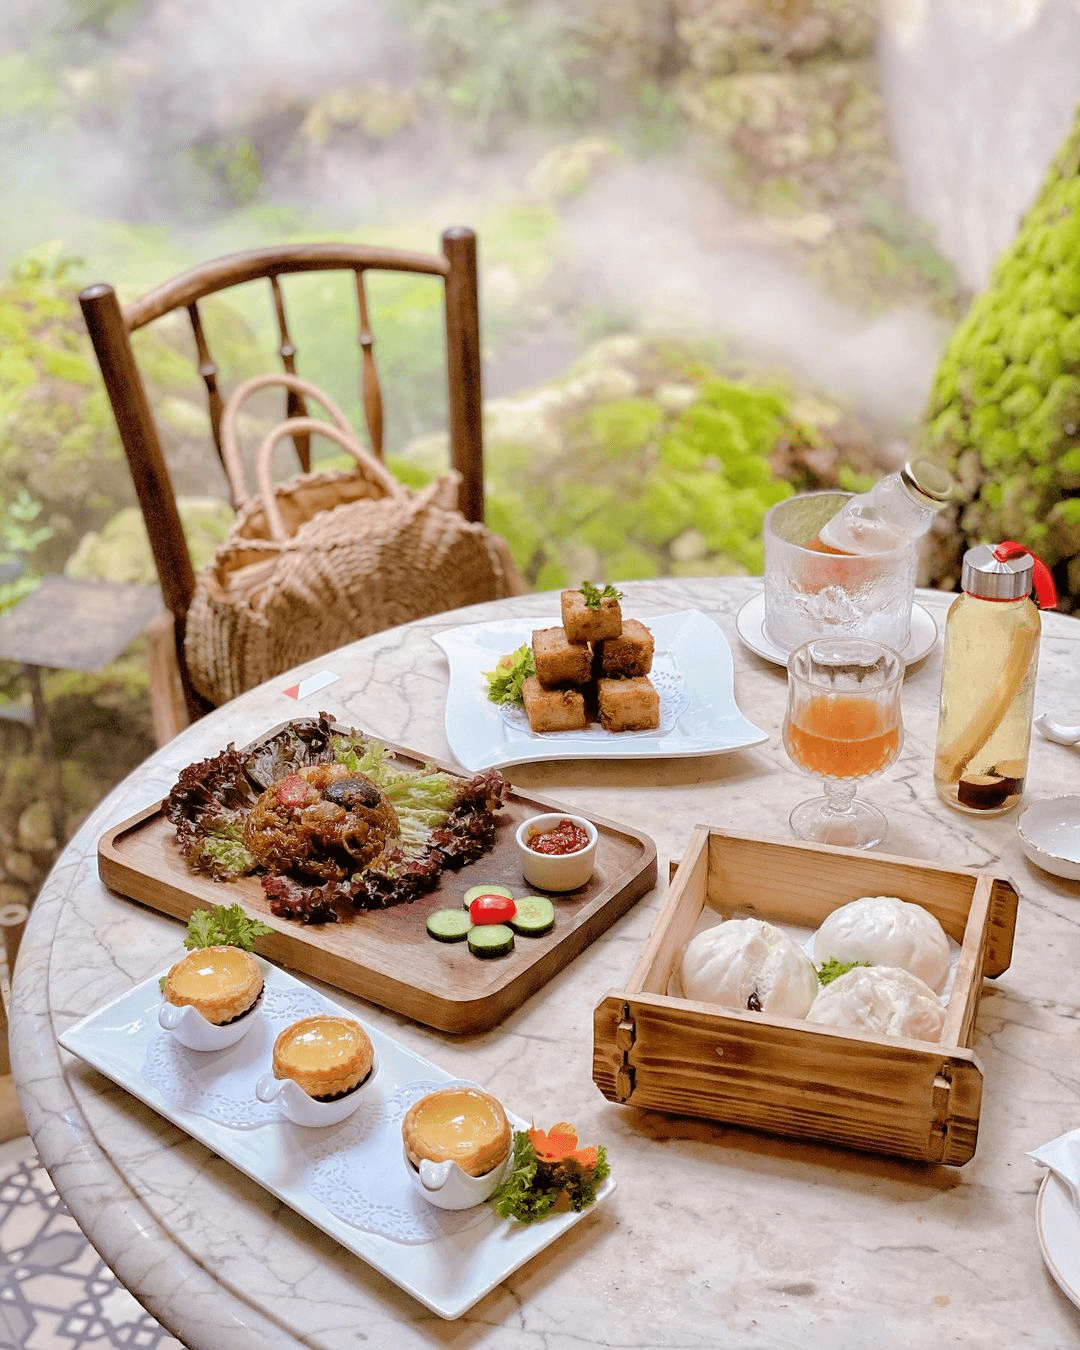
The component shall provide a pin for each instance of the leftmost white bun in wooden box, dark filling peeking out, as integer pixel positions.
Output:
(750, 965)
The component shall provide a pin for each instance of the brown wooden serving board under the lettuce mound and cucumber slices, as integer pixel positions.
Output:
(387, 956)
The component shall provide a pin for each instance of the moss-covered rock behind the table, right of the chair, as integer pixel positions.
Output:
(645, 460)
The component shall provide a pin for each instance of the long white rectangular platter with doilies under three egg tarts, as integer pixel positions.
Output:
(345, 1179)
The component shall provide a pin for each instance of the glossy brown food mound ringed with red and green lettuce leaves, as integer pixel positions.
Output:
(330, 821)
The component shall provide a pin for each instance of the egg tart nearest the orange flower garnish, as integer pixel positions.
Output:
(457, 1125)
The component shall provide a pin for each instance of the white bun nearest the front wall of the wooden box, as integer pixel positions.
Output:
(882, 1000)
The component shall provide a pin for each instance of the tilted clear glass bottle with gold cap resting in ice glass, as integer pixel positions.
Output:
(898, 510)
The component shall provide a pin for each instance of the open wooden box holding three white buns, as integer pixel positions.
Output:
(913, 1100)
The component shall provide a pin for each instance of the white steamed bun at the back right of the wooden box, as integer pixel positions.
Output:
(885, 931)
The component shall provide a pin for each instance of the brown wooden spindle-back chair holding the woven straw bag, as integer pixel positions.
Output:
(110, 325)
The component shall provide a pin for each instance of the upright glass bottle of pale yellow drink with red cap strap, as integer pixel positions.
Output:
(989, 680)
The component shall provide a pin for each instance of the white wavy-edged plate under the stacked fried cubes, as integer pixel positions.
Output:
(692, 669)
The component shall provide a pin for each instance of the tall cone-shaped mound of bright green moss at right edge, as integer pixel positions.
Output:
(1005, 408)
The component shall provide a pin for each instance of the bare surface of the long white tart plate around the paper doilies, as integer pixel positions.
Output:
(448, 1274)
